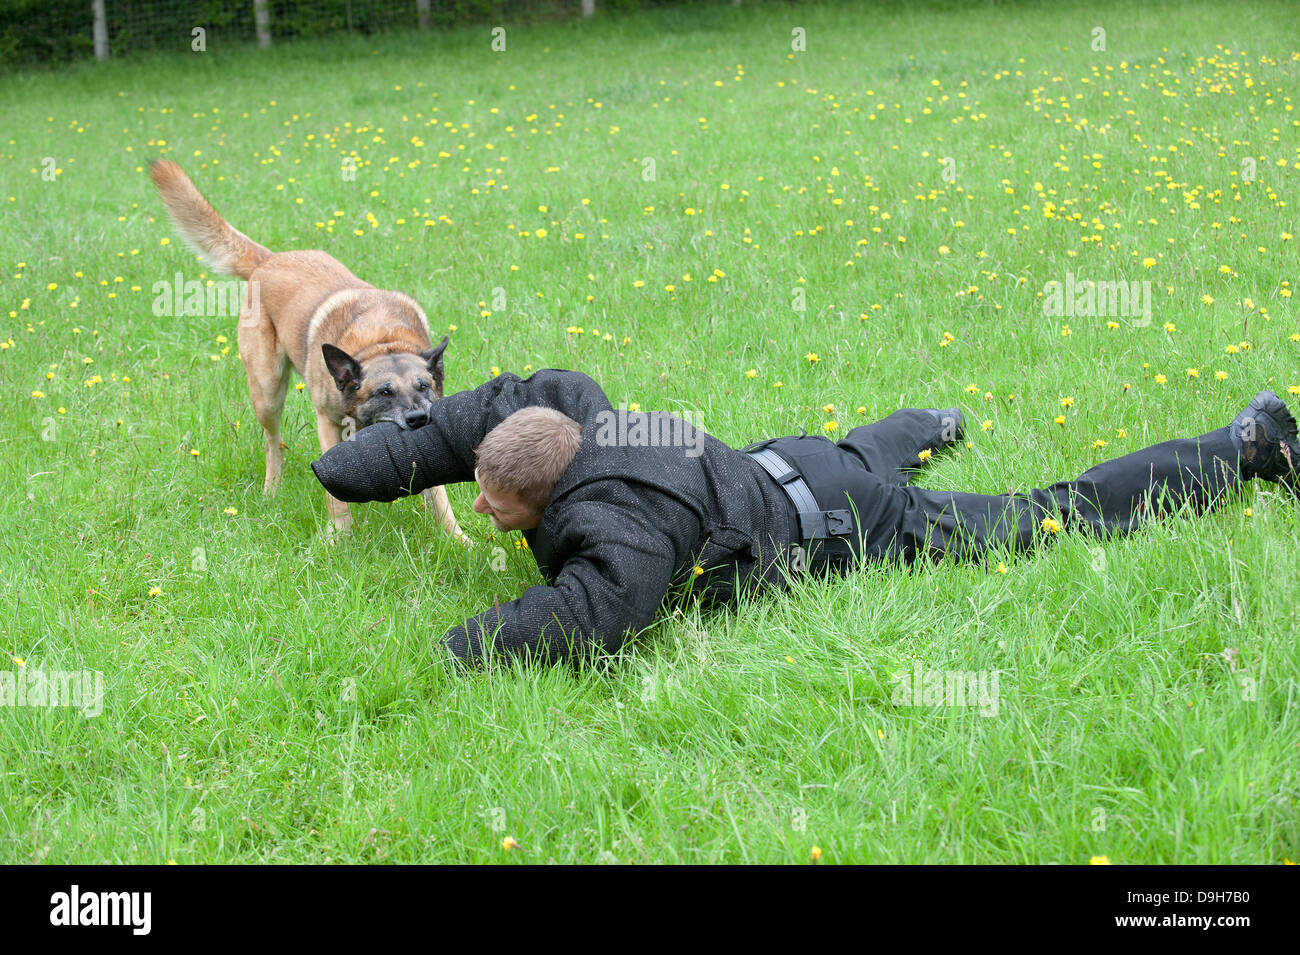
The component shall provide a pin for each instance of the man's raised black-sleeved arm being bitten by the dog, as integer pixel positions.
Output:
(385, 463)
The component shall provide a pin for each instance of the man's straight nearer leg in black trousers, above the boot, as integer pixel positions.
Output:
(1115, 497)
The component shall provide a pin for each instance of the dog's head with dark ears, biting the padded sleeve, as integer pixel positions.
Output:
(400, 388)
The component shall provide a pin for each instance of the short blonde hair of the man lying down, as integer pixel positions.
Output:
(527, 453)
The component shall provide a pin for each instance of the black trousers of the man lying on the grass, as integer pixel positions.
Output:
(870, 468)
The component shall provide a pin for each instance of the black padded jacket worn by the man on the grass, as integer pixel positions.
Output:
(625, 526)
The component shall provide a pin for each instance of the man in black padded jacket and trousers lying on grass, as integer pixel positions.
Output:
(622, 507)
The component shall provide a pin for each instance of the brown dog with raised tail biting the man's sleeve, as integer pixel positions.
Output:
(365, 353)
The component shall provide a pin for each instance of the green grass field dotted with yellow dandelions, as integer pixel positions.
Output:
(705, 220)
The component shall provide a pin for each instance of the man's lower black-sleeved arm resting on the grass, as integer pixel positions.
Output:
(612, 587)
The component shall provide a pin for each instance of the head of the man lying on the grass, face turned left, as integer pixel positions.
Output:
(519, 463)
